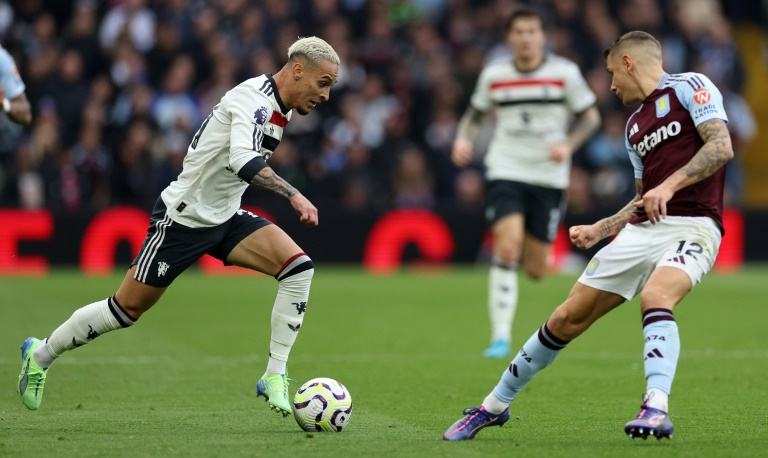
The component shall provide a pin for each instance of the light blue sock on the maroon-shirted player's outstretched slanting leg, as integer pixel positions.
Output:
(537, 353)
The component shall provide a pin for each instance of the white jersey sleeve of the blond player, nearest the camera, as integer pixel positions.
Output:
(249, 111)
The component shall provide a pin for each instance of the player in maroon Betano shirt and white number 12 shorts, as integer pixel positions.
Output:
(667, 238)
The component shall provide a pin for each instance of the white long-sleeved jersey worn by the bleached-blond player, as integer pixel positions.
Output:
(248, 122)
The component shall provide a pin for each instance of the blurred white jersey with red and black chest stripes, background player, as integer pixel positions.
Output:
(533, 112)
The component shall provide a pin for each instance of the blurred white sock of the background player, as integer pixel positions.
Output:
(502, 299)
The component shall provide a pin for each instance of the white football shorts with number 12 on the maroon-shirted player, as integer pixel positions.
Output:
(624, 265)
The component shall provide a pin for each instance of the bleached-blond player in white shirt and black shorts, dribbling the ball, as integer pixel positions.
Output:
(200, 213)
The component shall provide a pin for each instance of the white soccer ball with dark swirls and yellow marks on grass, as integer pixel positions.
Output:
(322, 404)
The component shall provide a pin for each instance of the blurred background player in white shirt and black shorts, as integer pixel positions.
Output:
(529, 159)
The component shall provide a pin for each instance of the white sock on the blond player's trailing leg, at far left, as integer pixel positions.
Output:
(81, 328)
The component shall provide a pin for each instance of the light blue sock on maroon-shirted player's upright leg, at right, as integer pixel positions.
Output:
(662, 348)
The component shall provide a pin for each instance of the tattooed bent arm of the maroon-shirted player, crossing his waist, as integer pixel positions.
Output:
(716, 151)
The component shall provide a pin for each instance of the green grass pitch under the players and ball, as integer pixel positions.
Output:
(182, 381)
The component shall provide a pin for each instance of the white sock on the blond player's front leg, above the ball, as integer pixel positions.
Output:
(288, 311)
